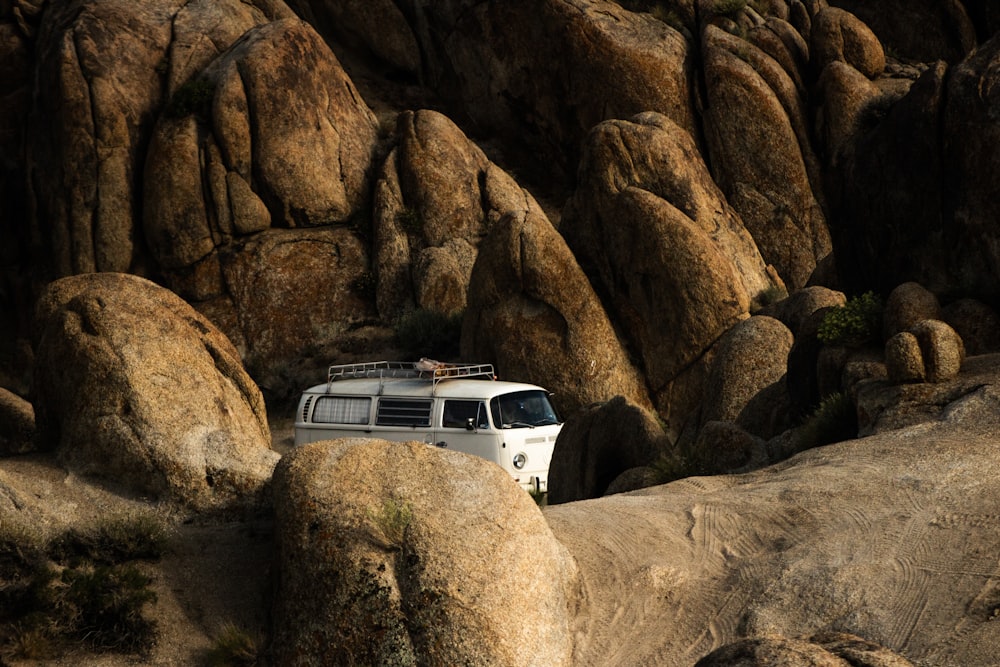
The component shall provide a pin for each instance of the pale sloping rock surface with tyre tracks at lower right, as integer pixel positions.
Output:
(854, 537)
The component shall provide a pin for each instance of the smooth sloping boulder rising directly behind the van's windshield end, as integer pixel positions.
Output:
(533, 313)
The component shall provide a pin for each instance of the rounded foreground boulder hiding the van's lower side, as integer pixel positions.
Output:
(404, 554)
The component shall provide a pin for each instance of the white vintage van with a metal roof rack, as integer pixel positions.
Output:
(459, 406)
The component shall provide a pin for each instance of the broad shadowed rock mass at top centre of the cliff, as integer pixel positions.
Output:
(514, 68)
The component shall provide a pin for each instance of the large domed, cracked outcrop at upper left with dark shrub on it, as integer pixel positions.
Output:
(298, 160)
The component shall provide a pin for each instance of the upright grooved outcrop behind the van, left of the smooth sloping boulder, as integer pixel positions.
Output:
(437, 197)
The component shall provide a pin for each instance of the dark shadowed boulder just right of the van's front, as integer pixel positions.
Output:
(600, 443)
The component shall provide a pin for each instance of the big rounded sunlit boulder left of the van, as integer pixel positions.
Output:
(137, 389)
